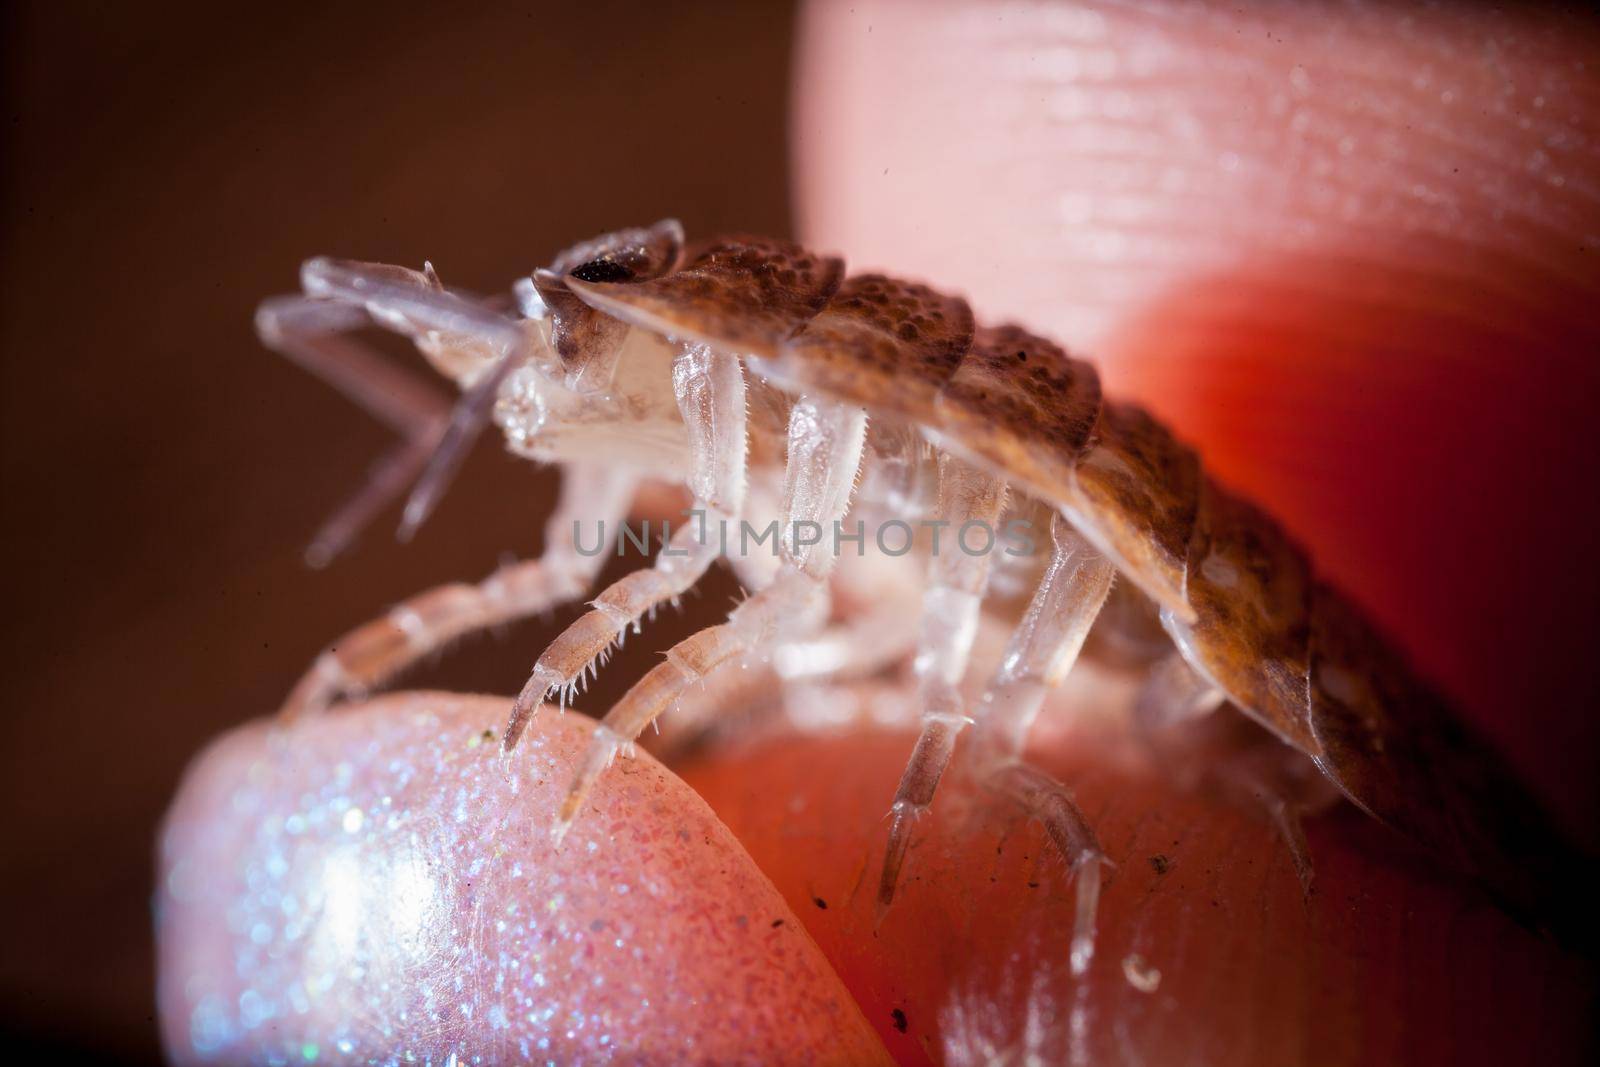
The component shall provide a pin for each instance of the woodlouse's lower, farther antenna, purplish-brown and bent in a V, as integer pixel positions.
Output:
(311, 334)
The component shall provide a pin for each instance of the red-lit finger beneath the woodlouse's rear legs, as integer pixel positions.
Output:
(1207, 951)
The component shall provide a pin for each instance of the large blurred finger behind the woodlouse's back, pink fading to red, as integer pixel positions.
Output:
(1351, 252)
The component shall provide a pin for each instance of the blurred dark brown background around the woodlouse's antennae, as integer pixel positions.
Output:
(162, 471)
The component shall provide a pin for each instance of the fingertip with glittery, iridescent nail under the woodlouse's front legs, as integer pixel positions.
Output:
(378, 884)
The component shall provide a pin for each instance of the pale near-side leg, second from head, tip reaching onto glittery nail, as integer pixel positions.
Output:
(825, 455)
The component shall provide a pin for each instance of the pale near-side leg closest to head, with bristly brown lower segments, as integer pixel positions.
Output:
(710, 386)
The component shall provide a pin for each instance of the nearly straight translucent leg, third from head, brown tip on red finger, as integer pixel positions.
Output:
(950, 621)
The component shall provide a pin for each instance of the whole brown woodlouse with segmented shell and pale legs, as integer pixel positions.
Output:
(750, 364)
